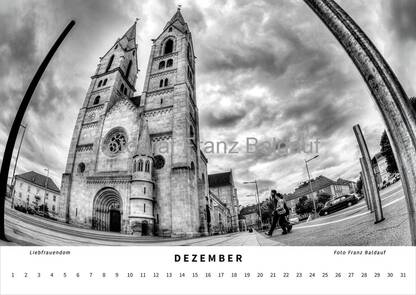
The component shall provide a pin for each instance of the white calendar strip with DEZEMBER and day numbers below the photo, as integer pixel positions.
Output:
(208, 270)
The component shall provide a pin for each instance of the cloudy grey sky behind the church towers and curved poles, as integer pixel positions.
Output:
(265, 69)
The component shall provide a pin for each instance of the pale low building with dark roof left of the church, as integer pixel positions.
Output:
(34, 190)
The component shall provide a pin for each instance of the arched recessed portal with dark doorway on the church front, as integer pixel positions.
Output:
(107, 210)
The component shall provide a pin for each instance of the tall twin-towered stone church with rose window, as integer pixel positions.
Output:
(134, 164)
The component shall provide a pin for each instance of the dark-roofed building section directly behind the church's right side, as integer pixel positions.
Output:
(222, 185)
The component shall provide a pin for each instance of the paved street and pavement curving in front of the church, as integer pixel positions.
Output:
(353, 226)
